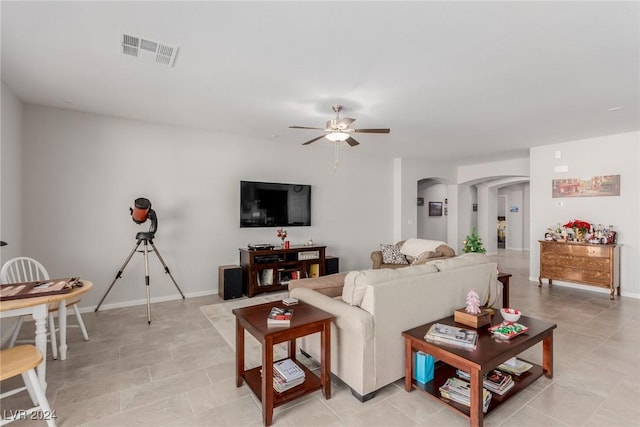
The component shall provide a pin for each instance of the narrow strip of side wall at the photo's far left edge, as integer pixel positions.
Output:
(11, 175)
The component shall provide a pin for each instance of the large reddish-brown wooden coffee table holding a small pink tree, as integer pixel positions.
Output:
(489, 353)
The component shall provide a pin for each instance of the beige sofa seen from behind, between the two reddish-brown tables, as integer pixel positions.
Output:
(373, 307)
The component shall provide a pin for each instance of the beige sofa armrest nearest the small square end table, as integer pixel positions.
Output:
(347, 317)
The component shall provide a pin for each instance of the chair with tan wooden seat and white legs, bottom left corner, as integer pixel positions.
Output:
(23, 360)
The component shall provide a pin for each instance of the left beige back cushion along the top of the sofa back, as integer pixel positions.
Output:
(356, 282)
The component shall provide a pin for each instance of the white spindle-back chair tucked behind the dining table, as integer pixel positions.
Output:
(25, 269)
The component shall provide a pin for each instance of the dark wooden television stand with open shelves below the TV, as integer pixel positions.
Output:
(269, 270)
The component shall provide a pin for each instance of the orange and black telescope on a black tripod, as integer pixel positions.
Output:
(140, 213)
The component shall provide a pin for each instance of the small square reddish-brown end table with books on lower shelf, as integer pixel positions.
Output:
(306, 320)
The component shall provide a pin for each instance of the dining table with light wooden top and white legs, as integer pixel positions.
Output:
(38, 308)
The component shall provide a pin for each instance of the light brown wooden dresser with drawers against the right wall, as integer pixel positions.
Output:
(593, 265)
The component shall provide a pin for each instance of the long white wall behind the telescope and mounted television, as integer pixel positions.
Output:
(83, 172)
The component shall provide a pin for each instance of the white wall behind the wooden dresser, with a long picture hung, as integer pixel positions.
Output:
(608, 155)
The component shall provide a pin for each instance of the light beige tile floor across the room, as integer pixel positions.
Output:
(179, 371)
